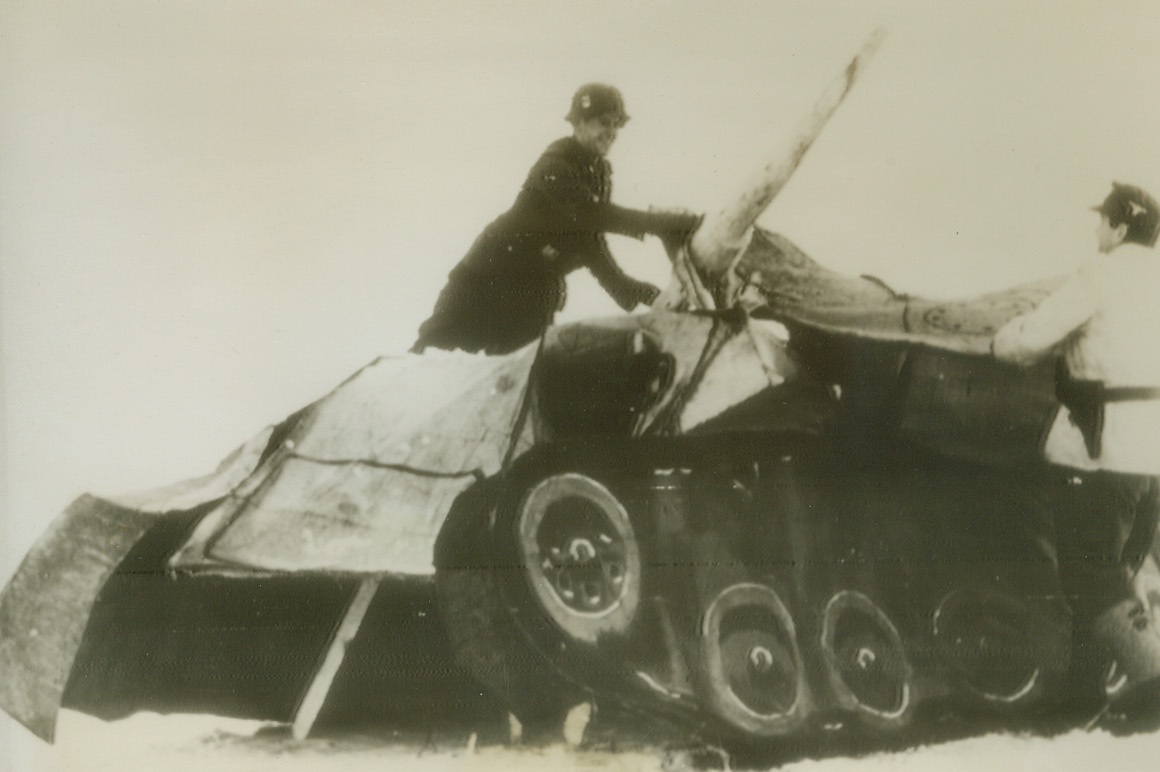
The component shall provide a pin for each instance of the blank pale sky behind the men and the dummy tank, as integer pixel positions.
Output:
(213, 213)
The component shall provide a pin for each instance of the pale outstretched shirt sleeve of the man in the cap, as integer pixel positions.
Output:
(1034, 336)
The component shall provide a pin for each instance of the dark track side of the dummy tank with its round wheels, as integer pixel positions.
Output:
(756, 589)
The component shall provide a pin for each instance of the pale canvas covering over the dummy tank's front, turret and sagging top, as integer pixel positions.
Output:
(360, 482)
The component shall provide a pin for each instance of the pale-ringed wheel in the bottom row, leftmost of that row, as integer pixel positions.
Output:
(752, 669)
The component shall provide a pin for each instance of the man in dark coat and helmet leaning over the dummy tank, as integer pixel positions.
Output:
(507, 289)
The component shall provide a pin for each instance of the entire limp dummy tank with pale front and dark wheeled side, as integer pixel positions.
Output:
(758, 523)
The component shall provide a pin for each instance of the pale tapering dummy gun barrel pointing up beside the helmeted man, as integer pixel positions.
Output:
(719, 242)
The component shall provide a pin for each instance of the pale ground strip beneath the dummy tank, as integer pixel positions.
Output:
(180, 744)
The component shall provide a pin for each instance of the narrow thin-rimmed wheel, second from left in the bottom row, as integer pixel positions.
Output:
(868, 666)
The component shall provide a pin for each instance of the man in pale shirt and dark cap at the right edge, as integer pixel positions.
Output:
(1104, 325)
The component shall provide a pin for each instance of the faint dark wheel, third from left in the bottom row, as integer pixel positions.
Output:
(985, 639)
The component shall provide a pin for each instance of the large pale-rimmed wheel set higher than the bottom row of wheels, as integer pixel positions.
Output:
(581, 556)
